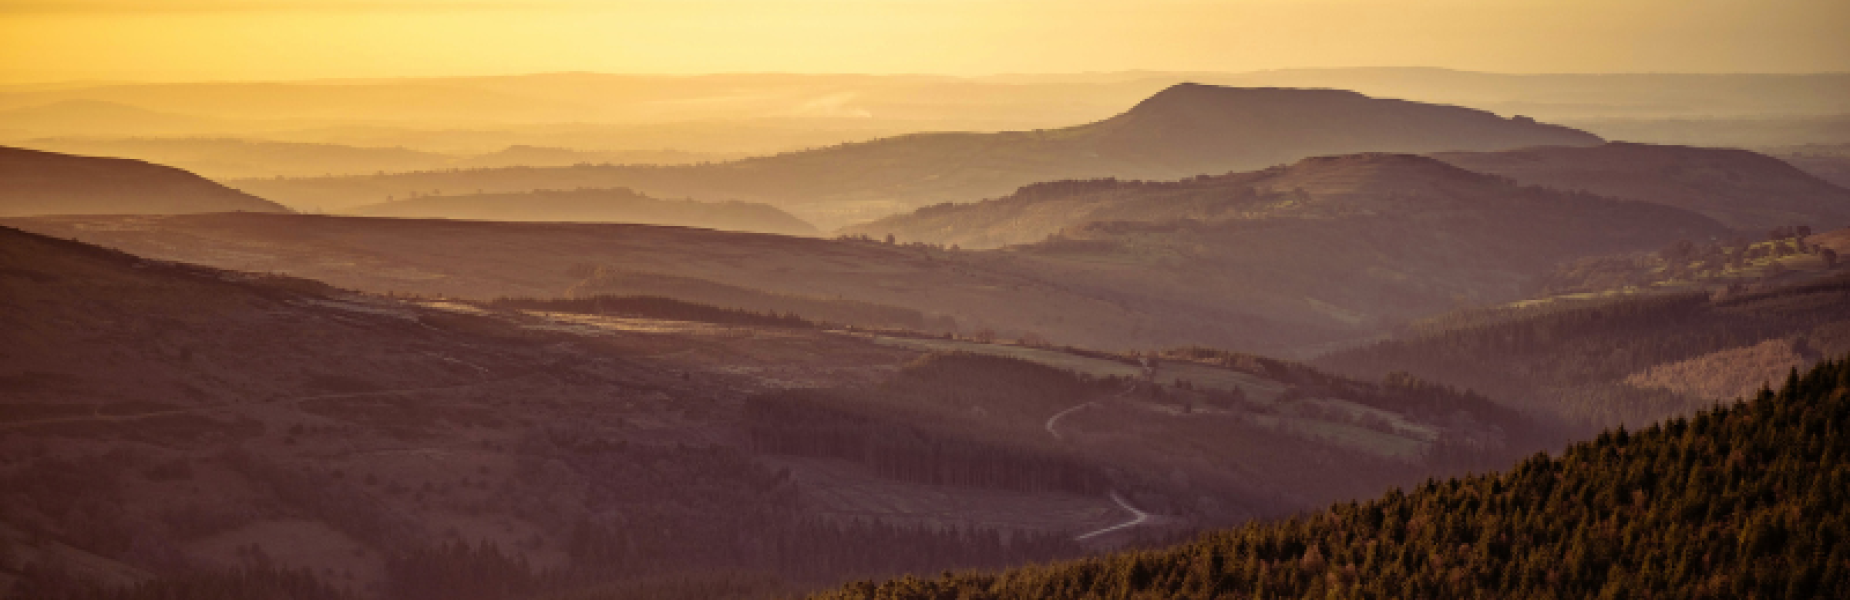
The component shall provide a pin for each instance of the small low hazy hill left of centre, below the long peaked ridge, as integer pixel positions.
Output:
(595, 206)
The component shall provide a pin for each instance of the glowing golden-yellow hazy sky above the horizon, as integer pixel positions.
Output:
(241, 40)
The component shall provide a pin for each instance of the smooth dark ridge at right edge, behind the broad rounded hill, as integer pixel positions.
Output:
(1742, 190)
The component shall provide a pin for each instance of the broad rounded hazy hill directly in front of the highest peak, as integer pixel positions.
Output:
(1351, 242)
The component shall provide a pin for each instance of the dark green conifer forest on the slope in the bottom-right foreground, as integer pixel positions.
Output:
(1740, 503)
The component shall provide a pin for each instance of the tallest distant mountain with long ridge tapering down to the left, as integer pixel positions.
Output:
(1179, 132)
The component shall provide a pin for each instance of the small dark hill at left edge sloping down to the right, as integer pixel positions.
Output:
(60, 184)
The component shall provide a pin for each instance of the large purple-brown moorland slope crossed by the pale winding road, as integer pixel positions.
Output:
(191, 431)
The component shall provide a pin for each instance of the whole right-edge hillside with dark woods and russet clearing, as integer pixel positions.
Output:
(1622, 360)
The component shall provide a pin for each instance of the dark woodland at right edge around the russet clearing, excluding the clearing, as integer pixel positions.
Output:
(1573, 362)
